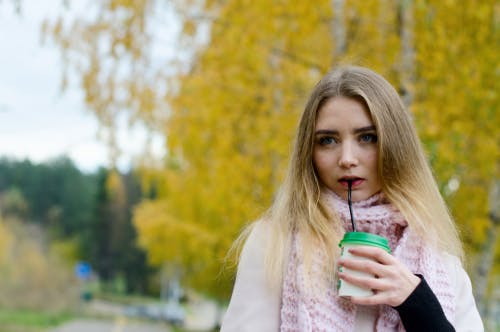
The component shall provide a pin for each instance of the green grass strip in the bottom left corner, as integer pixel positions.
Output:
(30, 320)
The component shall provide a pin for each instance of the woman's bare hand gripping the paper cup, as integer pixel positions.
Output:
(393, 281)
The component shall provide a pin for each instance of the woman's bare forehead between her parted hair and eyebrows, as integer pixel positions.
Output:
(338, 112)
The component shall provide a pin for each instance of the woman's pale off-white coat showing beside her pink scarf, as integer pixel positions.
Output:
(254, 306)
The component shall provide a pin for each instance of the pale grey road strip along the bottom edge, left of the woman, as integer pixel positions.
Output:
(120, 324)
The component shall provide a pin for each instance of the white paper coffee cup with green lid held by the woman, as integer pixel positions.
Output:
(351, 240)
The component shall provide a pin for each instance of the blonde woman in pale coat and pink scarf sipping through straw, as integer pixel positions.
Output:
(354, 129)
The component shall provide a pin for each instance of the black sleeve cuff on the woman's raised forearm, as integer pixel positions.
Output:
(421, 311)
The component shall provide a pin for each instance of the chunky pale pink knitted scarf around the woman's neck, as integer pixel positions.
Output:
(304, 310)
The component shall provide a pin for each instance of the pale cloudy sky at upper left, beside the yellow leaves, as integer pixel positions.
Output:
(37, 120)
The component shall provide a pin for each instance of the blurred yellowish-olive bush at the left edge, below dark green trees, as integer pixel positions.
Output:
(33, 275)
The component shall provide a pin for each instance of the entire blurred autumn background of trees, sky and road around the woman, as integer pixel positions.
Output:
(138, 138)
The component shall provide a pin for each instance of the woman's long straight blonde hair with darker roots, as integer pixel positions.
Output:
(406, 177)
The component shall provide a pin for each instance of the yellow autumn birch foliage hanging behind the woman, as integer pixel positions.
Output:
(231, 112)
